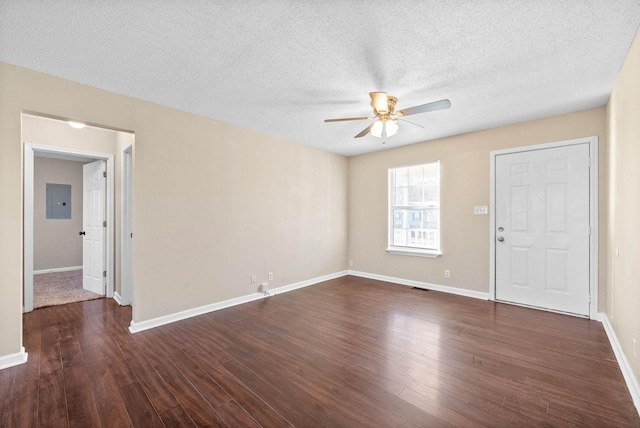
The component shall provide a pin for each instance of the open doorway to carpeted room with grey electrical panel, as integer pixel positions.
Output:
(63, 212)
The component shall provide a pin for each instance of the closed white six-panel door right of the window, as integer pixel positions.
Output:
(542, 228)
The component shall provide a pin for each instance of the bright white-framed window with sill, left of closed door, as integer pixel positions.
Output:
(414, 210)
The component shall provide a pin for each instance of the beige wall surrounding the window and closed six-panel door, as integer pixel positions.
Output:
(464, 163)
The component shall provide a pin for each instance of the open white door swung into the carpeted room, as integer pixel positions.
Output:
(93, 217)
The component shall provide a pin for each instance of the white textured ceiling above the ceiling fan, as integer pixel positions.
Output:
(283, 66)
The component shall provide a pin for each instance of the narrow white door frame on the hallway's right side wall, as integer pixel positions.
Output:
(126, 205)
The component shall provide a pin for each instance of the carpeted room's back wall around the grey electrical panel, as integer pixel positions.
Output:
(56, 243)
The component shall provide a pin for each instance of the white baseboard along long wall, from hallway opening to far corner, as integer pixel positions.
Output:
(136, 327)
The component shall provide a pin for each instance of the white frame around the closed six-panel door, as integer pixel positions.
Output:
(593, 213)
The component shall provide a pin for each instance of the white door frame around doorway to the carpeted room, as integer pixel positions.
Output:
(29, 154)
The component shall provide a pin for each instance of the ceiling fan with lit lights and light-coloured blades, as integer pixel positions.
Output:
(386, 119)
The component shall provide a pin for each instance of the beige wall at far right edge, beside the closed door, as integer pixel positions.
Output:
(623, 114)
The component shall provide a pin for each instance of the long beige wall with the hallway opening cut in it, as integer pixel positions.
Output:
(213, 203)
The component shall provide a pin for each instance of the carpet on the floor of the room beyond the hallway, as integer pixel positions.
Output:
(58, 288)
